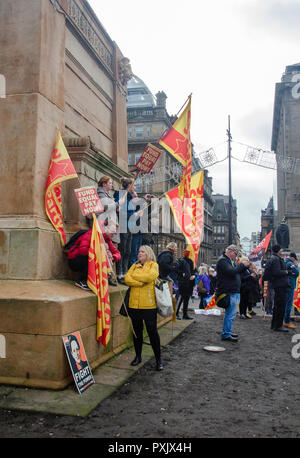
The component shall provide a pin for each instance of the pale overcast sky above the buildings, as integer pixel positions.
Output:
(229, 54)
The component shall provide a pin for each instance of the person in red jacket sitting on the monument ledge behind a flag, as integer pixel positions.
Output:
(78, 259)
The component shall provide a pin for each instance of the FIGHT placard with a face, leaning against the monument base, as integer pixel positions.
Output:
(79, 365)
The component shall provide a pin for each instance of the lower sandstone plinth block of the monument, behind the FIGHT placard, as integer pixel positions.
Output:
(34, 317)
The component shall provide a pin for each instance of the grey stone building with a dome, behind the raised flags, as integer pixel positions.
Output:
(147, 120)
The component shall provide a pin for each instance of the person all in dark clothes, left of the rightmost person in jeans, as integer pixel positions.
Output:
(280, 283)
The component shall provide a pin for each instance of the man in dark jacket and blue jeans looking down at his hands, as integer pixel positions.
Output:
(229, 282)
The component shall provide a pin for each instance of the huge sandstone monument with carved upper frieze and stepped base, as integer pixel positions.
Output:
(63, 72)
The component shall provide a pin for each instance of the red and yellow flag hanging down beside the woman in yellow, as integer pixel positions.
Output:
(98, 269)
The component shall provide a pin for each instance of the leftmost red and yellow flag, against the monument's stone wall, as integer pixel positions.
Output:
(61, 169)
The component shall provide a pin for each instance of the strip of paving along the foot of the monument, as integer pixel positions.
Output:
(108, 377)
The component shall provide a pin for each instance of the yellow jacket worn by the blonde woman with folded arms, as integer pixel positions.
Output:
(141, 279)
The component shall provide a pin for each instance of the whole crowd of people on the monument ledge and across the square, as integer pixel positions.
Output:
(235, 282)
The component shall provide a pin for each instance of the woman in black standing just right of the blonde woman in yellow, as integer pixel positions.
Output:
(186, 281)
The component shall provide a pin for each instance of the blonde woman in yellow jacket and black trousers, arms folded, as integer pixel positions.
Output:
(141, 278)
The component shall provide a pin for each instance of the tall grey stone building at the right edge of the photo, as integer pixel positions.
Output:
(286, 146)
